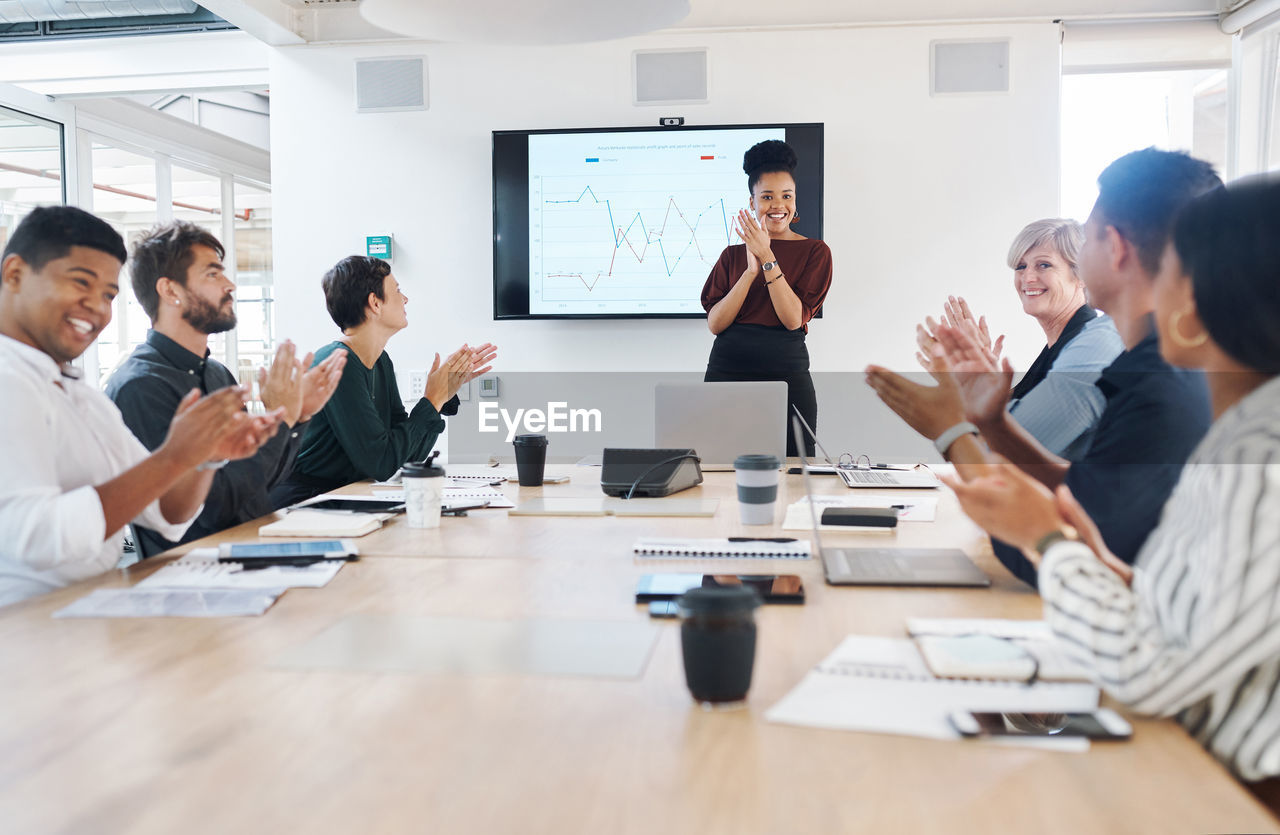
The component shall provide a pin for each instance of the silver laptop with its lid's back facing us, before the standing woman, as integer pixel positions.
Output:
(721, 421)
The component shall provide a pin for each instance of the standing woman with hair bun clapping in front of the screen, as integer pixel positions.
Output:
(762, 294)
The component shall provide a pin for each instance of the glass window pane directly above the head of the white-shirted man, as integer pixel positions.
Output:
(31, 167)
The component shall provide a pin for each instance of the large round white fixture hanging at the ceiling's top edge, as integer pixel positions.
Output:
(523, 21)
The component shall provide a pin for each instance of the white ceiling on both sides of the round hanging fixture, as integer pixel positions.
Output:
(327, 21)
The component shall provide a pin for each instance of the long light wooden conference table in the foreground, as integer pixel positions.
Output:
(168, 726)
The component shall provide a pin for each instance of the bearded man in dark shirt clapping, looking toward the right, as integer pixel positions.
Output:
(179, 279)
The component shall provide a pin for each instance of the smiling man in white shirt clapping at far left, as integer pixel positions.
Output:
(72, 476)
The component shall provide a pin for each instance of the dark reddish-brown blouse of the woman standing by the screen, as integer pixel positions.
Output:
(806, 264)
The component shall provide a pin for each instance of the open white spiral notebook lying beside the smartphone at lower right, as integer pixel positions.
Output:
(883, 686)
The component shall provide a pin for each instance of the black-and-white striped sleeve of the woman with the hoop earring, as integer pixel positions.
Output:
(1203, 612)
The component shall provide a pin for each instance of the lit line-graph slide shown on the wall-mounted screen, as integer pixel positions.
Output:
(632, 223)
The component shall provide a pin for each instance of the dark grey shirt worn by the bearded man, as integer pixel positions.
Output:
(148, 387)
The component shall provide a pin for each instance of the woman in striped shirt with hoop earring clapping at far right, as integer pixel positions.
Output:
(1194, 629)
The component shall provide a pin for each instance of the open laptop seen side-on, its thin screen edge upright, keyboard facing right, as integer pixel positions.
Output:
(889, 567)
